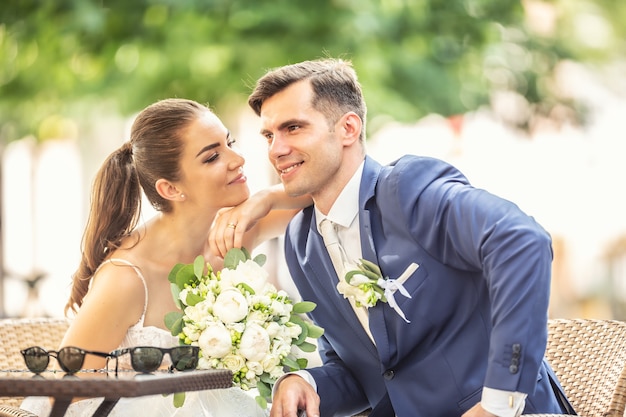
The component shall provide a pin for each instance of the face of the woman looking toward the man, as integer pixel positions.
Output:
(211, 169)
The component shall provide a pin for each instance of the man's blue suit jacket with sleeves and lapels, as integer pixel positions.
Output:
(479, 301)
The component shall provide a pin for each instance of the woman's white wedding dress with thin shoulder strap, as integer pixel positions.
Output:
(231, 402)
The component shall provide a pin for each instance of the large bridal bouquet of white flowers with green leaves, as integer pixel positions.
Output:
(240, 321)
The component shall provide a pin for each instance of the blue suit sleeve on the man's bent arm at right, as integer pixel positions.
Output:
(471, 229)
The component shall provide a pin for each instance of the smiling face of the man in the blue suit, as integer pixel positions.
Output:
(302, 147)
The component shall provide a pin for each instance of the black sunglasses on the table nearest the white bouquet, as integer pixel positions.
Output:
(147, 359)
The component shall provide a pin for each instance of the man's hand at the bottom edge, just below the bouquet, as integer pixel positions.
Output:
(292, 394)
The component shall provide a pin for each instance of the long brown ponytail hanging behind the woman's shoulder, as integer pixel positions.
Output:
(114, 212)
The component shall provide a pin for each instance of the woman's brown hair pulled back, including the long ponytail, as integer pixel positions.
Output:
(153, 152)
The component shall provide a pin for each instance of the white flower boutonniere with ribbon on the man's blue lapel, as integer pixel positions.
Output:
(366, 285)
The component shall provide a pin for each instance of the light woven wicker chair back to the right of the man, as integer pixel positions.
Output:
(589, 357)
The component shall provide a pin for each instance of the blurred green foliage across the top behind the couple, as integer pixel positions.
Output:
(60, 58)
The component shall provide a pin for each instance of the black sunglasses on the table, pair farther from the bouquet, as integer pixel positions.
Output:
(70, 358)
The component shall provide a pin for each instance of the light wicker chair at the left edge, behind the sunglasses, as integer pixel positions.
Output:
(17, 334)
